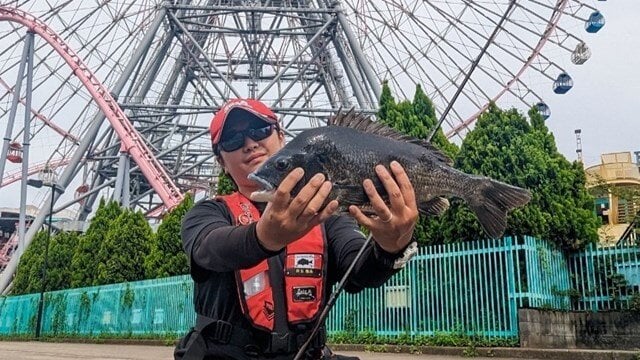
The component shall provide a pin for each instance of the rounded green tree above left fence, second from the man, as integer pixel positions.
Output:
(124, 249)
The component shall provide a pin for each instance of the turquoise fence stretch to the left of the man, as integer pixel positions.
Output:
(150, 307)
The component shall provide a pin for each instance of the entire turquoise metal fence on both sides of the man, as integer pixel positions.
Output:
(474, 288)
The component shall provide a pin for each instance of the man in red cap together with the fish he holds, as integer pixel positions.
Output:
(264, 258)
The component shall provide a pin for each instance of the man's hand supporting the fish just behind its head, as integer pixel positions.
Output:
(285, 219)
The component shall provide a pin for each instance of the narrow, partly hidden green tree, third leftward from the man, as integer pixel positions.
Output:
(85, 258)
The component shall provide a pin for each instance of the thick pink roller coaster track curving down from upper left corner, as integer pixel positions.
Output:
(132, 141)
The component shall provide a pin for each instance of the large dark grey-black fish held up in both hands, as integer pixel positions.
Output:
(347, 151)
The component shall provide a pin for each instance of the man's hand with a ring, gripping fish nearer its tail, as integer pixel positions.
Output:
(392, 227)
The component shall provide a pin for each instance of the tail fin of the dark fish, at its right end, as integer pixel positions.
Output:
(492, 201)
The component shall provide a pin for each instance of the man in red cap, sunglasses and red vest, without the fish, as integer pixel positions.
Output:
(263, 272)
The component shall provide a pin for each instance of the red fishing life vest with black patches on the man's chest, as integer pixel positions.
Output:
(303, 276)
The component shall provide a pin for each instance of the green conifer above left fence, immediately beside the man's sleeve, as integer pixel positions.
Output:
(166, 257)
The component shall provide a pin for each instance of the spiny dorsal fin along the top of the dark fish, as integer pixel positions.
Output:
(358, 121)
